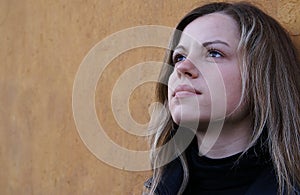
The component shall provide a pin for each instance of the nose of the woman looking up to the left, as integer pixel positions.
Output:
(186, 69)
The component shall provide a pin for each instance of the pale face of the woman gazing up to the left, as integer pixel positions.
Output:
(206, 82)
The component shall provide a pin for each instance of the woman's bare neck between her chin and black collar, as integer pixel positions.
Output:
(221, 140)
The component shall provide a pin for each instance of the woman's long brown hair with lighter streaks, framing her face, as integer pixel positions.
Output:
(270, 85)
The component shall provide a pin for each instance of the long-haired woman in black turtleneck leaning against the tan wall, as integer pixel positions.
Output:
(233, 81)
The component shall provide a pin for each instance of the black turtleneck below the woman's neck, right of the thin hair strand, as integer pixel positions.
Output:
(230, 175)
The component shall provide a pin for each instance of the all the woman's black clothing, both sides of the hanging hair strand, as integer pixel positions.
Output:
(251, 174)
